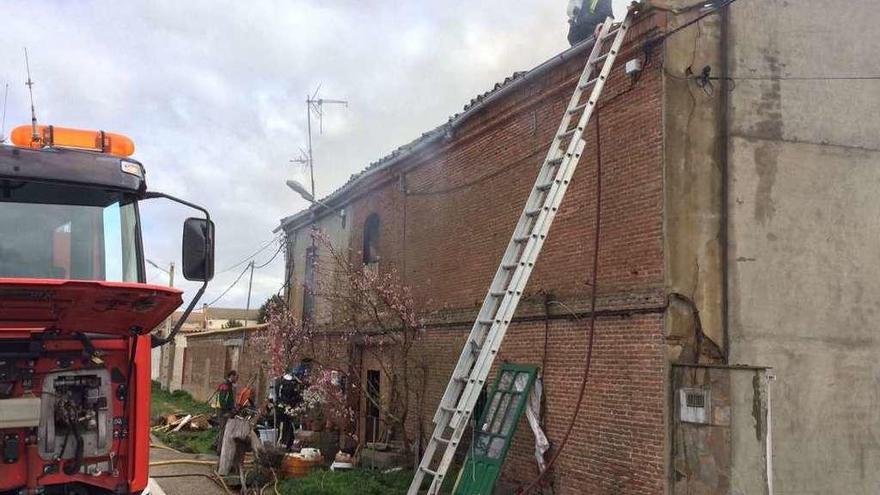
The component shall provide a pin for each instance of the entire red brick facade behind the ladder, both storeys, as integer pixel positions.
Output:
(446, 216)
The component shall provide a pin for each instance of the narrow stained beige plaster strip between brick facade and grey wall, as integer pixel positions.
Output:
(692, 194)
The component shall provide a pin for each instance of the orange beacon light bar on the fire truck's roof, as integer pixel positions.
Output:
(65, 137)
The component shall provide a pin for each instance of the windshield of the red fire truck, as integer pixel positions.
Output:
(67, 232)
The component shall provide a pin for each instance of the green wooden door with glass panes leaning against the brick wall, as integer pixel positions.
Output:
(494, 431)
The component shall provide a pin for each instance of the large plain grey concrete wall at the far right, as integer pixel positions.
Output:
(804, 172)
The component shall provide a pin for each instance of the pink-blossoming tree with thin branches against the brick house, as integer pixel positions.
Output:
(366, 312)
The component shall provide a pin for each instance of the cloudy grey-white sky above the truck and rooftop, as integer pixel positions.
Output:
(213, 95)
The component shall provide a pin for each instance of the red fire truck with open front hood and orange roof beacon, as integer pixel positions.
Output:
(76, 315)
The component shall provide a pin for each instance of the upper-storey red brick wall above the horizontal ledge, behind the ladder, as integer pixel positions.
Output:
(447, 232)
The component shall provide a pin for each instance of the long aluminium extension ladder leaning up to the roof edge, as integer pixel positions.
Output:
(469, 376)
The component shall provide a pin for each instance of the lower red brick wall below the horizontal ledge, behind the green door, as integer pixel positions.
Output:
(617, 442)
